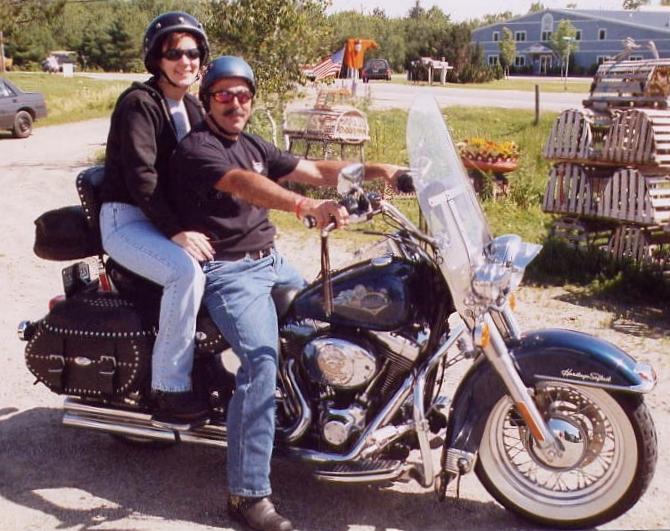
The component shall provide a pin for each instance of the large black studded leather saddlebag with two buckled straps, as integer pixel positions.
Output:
(94, 345)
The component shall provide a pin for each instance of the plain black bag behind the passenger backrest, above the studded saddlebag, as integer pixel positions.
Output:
(64, 234)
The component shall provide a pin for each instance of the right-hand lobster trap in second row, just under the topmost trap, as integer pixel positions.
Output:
(639, 136)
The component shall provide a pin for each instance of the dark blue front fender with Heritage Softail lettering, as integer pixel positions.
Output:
(551, 354)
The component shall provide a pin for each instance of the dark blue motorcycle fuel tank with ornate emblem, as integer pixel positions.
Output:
(384, 293)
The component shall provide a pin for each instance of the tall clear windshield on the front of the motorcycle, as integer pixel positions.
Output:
(446, 197)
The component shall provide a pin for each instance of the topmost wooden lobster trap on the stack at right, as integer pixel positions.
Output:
(630, 84)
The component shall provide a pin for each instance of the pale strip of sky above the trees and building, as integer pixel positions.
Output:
(461, 10)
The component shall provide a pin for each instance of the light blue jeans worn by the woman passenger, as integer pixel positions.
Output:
(135, 243)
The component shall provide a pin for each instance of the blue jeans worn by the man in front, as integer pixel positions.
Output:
(238, 297)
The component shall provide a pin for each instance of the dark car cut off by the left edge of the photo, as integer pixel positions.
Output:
(18, 109)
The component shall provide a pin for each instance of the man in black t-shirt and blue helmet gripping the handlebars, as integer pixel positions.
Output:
(222, 183)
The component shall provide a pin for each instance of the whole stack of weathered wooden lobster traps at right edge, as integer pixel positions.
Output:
(610, 180)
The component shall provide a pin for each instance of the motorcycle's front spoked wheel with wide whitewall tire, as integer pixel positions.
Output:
(608, 460)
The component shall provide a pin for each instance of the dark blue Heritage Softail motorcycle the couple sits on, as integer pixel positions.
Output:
(553, 422)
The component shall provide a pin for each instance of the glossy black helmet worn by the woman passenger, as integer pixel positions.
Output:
(168, 23)
